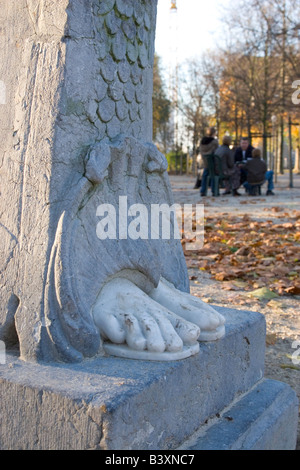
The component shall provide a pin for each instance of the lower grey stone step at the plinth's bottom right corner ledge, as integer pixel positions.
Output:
(265, 418)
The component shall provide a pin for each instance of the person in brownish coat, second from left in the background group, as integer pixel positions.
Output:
(229, 169)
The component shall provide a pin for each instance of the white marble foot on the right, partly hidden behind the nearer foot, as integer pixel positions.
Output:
(192, 309)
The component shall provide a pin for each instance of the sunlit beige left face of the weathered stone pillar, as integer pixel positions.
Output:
(30, 69)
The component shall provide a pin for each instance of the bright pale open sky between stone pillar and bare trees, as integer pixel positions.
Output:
(199, 27)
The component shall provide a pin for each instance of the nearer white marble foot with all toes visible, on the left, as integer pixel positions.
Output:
(134, 325)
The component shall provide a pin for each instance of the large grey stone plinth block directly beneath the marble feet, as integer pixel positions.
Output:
(111, 403)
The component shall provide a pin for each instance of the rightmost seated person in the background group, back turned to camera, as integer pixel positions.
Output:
(257, 174)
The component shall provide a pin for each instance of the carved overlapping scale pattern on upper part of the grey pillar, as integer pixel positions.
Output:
(125, 53)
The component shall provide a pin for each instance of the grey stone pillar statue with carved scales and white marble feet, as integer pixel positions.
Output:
(81, 121)
